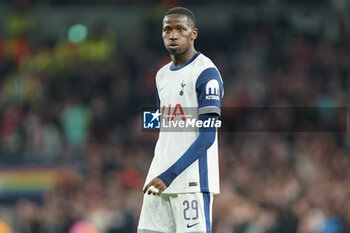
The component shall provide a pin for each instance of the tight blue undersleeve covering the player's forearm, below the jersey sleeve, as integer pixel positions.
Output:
(204, 140)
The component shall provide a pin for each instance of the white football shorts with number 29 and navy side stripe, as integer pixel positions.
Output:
(176, 213)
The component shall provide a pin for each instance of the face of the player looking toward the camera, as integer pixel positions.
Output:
(178, 33)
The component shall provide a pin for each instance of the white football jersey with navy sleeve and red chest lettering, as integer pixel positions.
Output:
(197, 85)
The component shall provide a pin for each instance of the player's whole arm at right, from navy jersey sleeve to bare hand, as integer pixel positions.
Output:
(208, 107)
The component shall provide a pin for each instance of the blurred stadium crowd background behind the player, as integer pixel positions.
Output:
(74, 75)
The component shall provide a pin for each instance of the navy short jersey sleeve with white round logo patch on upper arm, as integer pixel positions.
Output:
(209, 87)
